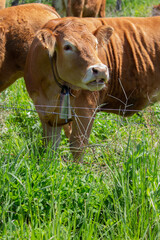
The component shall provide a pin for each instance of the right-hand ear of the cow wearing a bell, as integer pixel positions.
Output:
(103, 34)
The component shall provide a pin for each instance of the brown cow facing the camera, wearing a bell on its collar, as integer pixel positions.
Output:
(132, 55)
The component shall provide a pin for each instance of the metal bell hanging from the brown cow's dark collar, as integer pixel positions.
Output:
(65, 107)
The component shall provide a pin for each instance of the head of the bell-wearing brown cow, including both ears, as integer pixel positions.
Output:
(75, 53)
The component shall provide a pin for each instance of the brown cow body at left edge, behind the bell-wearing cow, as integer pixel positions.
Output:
(18, 26)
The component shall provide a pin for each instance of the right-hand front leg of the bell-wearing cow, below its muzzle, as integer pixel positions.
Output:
(85, 104)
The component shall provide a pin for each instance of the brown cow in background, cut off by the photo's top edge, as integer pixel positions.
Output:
(80, 8)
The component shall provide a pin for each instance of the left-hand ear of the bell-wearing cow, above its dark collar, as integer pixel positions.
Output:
(47, 39)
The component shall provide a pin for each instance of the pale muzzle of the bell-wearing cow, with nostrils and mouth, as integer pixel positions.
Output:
(96, 77)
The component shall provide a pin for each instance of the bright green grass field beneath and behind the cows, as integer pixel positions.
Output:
(113, 194)
